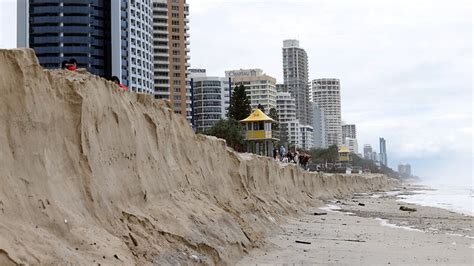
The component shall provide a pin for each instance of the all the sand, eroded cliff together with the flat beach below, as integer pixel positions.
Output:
(112, 180)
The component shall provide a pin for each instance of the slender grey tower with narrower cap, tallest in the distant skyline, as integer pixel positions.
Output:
(295, 78)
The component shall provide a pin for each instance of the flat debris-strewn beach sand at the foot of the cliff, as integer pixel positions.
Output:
(374, 234)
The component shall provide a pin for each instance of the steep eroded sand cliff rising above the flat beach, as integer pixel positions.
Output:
(89, 173)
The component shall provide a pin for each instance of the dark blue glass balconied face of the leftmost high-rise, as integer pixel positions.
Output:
(61, 29)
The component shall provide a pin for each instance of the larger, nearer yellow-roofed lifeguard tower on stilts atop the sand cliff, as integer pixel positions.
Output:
(258, 133)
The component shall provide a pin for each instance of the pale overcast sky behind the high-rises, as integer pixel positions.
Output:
(405, 66)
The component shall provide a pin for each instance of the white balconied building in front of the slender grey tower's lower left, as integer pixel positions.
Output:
(286, 109)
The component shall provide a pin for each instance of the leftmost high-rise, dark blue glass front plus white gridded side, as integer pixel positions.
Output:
(107, 37)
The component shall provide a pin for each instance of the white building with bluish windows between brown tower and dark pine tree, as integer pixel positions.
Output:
(211, 99)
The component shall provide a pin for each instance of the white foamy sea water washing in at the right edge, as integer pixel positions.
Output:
(454, 197)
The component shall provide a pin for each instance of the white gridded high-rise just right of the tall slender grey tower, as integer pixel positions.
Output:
(326, 94)
